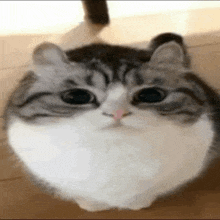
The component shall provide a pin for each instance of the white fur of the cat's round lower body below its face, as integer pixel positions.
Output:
(124, 166)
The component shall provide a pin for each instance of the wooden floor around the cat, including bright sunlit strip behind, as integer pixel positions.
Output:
(25, 24)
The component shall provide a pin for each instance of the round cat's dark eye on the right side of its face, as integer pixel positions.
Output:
(150, 95)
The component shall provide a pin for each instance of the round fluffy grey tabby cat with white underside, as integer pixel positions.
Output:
(114, 127)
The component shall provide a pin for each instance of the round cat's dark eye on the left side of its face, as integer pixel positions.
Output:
(77, 97)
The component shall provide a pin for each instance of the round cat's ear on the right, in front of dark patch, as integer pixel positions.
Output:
(168, 53)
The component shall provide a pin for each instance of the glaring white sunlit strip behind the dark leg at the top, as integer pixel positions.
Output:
(40, 17)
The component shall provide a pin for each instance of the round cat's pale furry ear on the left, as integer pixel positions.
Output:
(49, 54)
